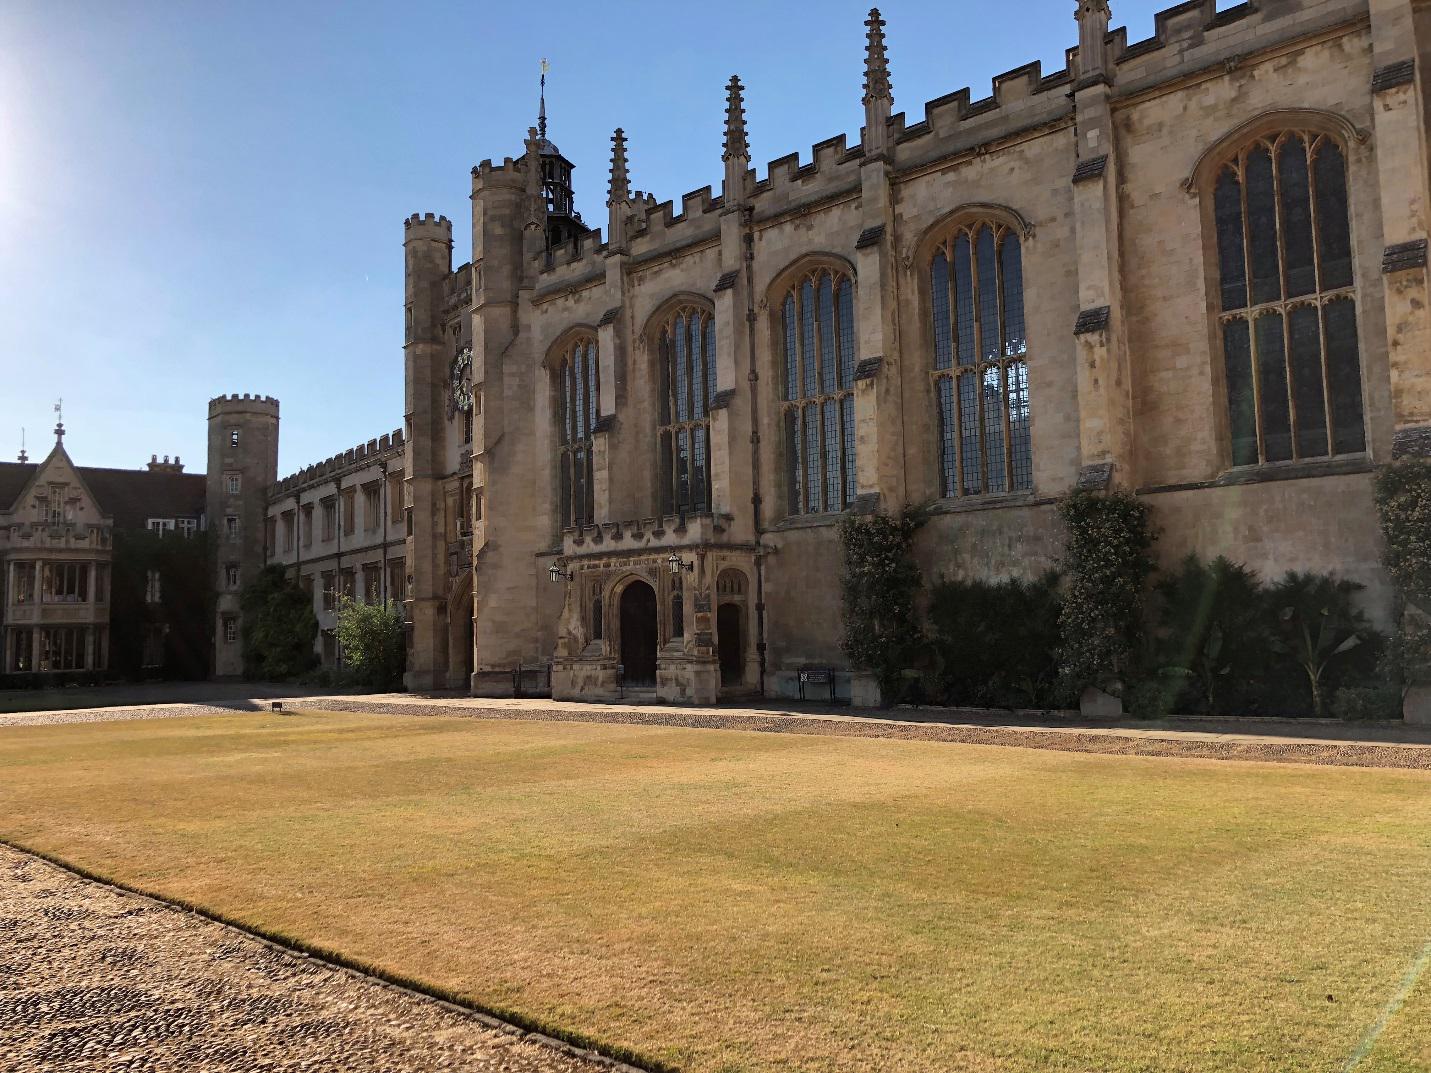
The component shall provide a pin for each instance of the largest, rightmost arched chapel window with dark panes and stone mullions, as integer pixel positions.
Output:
(1289, 301)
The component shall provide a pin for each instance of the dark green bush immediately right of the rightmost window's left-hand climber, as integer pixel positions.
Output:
(1211, 636)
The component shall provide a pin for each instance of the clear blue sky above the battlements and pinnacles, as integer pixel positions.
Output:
(202, 198)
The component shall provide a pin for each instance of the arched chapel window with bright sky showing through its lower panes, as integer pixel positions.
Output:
(981, 361)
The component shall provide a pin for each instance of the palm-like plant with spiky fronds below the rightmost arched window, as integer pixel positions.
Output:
(1319, 626)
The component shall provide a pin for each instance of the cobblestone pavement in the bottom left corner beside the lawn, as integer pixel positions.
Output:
(97, 979)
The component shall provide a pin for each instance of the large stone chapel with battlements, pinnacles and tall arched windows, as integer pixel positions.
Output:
(1193, 267)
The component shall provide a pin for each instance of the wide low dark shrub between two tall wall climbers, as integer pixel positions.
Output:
(997, 643)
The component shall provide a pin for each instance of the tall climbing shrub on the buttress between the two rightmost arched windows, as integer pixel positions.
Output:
(1107, 563)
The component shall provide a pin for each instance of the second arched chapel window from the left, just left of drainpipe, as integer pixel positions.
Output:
(688, 370)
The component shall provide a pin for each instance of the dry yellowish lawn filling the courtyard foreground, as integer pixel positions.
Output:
(723, 901)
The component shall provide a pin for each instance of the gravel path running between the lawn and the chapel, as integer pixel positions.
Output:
(1301, 745)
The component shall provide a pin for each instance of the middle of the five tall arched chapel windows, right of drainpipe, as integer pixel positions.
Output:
(818, 410)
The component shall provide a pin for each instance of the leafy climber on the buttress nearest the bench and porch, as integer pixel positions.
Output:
(879, 584)
